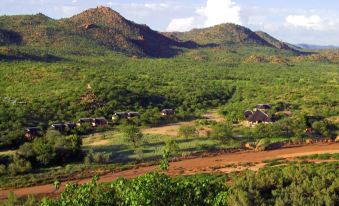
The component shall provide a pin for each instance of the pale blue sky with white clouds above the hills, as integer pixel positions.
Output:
(293, 21)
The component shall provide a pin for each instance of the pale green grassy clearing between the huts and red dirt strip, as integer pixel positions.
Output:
(151, 146)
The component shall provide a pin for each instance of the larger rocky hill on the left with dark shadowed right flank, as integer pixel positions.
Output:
(100, 27)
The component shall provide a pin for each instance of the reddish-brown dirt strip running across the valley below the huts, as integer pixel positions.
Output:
(196, 165)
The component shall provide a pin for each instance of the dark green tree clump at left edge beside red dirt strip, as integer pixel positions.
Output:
(51, 149)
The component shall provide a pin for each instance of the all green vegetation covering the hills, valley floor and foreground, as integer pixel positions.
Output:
(54, 71)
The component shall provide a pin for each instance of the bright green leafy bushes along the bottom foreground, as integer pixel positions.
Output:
(295, 184)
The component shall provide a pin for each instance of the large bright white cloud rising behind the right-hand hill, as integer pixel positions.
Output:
(213, 13)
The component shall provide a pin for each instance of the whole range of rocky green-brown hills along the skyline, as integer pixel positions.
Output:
(104, 28)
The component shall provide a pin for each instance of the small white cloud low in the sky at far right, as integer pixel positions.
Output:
(308, 22)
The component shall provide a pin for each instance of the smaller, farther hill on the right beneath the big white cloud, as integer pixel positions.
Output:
(229, 34)
